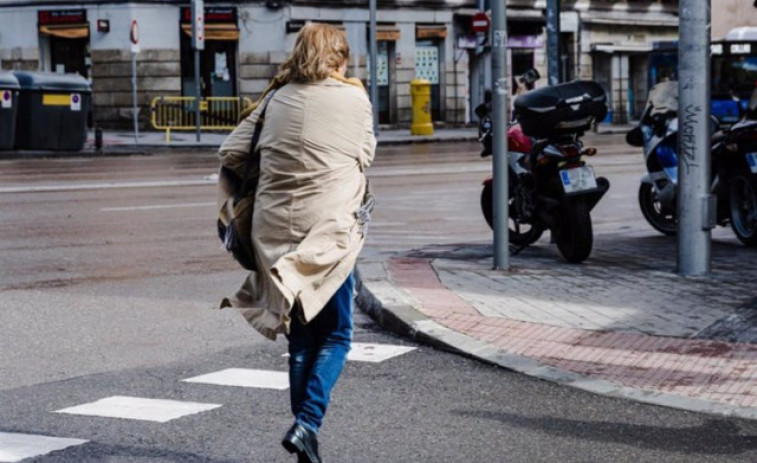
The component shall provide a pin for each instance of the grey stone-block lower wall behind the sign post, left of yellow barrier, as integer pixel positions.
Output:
(158, 74)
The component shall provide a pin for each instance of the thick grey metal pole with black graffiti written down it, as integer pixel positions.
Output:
(696, 204)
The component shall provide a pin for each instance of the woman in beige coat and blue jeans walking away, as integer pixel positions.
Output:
(308, 220)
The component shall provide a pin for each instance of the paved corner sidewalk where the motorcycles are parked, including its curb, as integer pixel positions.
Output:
(622, 324)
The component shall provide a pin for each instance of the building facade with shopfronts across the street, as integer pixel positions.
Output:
(246, 41)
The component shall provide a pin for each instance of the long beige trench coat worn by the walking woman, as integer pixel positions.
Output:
(316, 142)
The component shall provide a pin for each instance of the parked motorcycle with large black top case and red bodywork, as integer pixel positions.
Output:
(550, 185)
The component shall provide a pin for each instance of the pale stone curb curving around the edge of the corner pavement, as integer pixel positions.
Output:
(408, 322)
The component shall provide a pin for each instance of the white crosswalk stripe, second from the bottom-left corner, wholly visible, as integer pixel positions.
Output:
(136, 408)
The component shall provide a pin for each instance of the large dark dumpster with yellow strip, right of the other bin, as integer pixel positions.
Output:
(53, 110)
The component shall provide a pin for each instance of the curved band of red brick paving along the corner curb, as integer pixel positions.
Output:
(711, 370)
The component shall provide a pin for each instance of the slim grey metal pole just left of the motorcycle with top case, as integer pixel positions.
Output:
(499, 142)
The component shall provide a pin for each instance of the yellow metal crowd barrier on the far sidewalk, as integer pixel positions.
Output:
(178, 112)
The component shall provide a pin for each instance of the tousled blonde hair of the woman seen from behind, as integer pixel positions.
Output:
(319, 50)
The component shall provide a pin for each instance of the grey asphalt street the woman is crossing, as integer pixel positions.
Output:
(109, 268)
